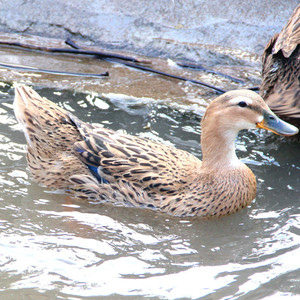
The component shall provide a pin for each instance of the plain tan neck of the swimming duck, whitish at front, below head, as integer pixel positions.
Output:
(218, 148)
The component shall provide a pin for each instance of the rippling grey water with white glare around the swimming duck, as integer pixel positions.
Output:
(56, 247)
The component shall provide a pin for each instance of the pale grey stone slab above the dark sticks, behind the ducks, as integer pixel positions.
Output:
(151, 27)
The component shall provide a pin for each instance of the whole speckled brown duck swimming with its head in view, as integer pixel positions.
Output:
(99, 164)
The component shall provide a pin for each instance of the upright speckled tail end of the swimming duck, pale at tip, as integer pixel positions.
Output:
(50, 135)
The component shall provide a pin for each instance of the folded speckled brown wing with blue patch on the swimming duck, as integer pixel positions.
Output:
(120, 157)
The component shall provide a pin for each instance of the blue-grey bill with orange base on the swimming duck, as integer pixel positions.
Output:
(273, 123)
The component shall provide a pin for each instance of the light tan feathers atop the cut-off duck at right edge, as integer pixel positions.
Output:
(289, 37)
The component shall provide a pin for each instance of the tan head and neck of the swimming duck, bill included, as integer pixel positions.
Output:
(226, 116)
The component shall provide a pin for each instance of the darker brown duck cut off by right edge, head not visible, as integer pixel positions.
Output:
(280, 85)
